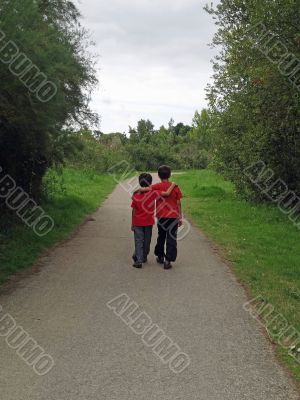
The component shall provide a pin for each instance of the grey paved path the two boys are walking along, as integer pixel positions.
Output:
(198, 304)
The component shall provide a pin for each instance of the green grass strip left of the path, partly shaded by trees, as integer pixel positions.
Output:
(20, 247)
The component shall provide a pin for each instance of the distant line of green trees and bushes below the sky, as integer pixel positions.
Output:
(145, 148)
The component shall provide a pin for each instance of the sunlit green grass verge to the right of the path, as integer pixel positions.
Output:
(261, 242)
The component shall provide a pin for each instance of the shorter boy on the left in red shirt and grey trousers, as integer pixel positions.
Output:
(143, 208)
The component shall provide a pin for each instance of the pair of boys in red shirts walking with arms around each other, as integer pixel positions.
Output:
(164, 197)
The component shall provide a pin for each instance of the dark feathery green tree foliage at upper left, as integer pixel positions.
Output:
(50, 35)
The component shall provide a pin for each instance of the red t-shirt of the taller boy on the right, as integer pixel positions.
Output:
(167, 207)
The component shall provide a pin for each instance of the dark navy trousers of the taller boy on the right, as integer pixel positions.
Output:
(167, 235)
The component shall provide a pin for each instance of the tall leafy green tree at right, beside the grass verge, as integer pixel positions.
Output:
(256, 107)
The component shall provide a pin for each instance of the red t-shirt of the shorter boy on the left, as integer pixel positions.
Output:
(144, 205)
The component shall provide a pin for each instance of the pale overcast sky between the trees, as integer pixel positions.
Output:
(154, 59)
